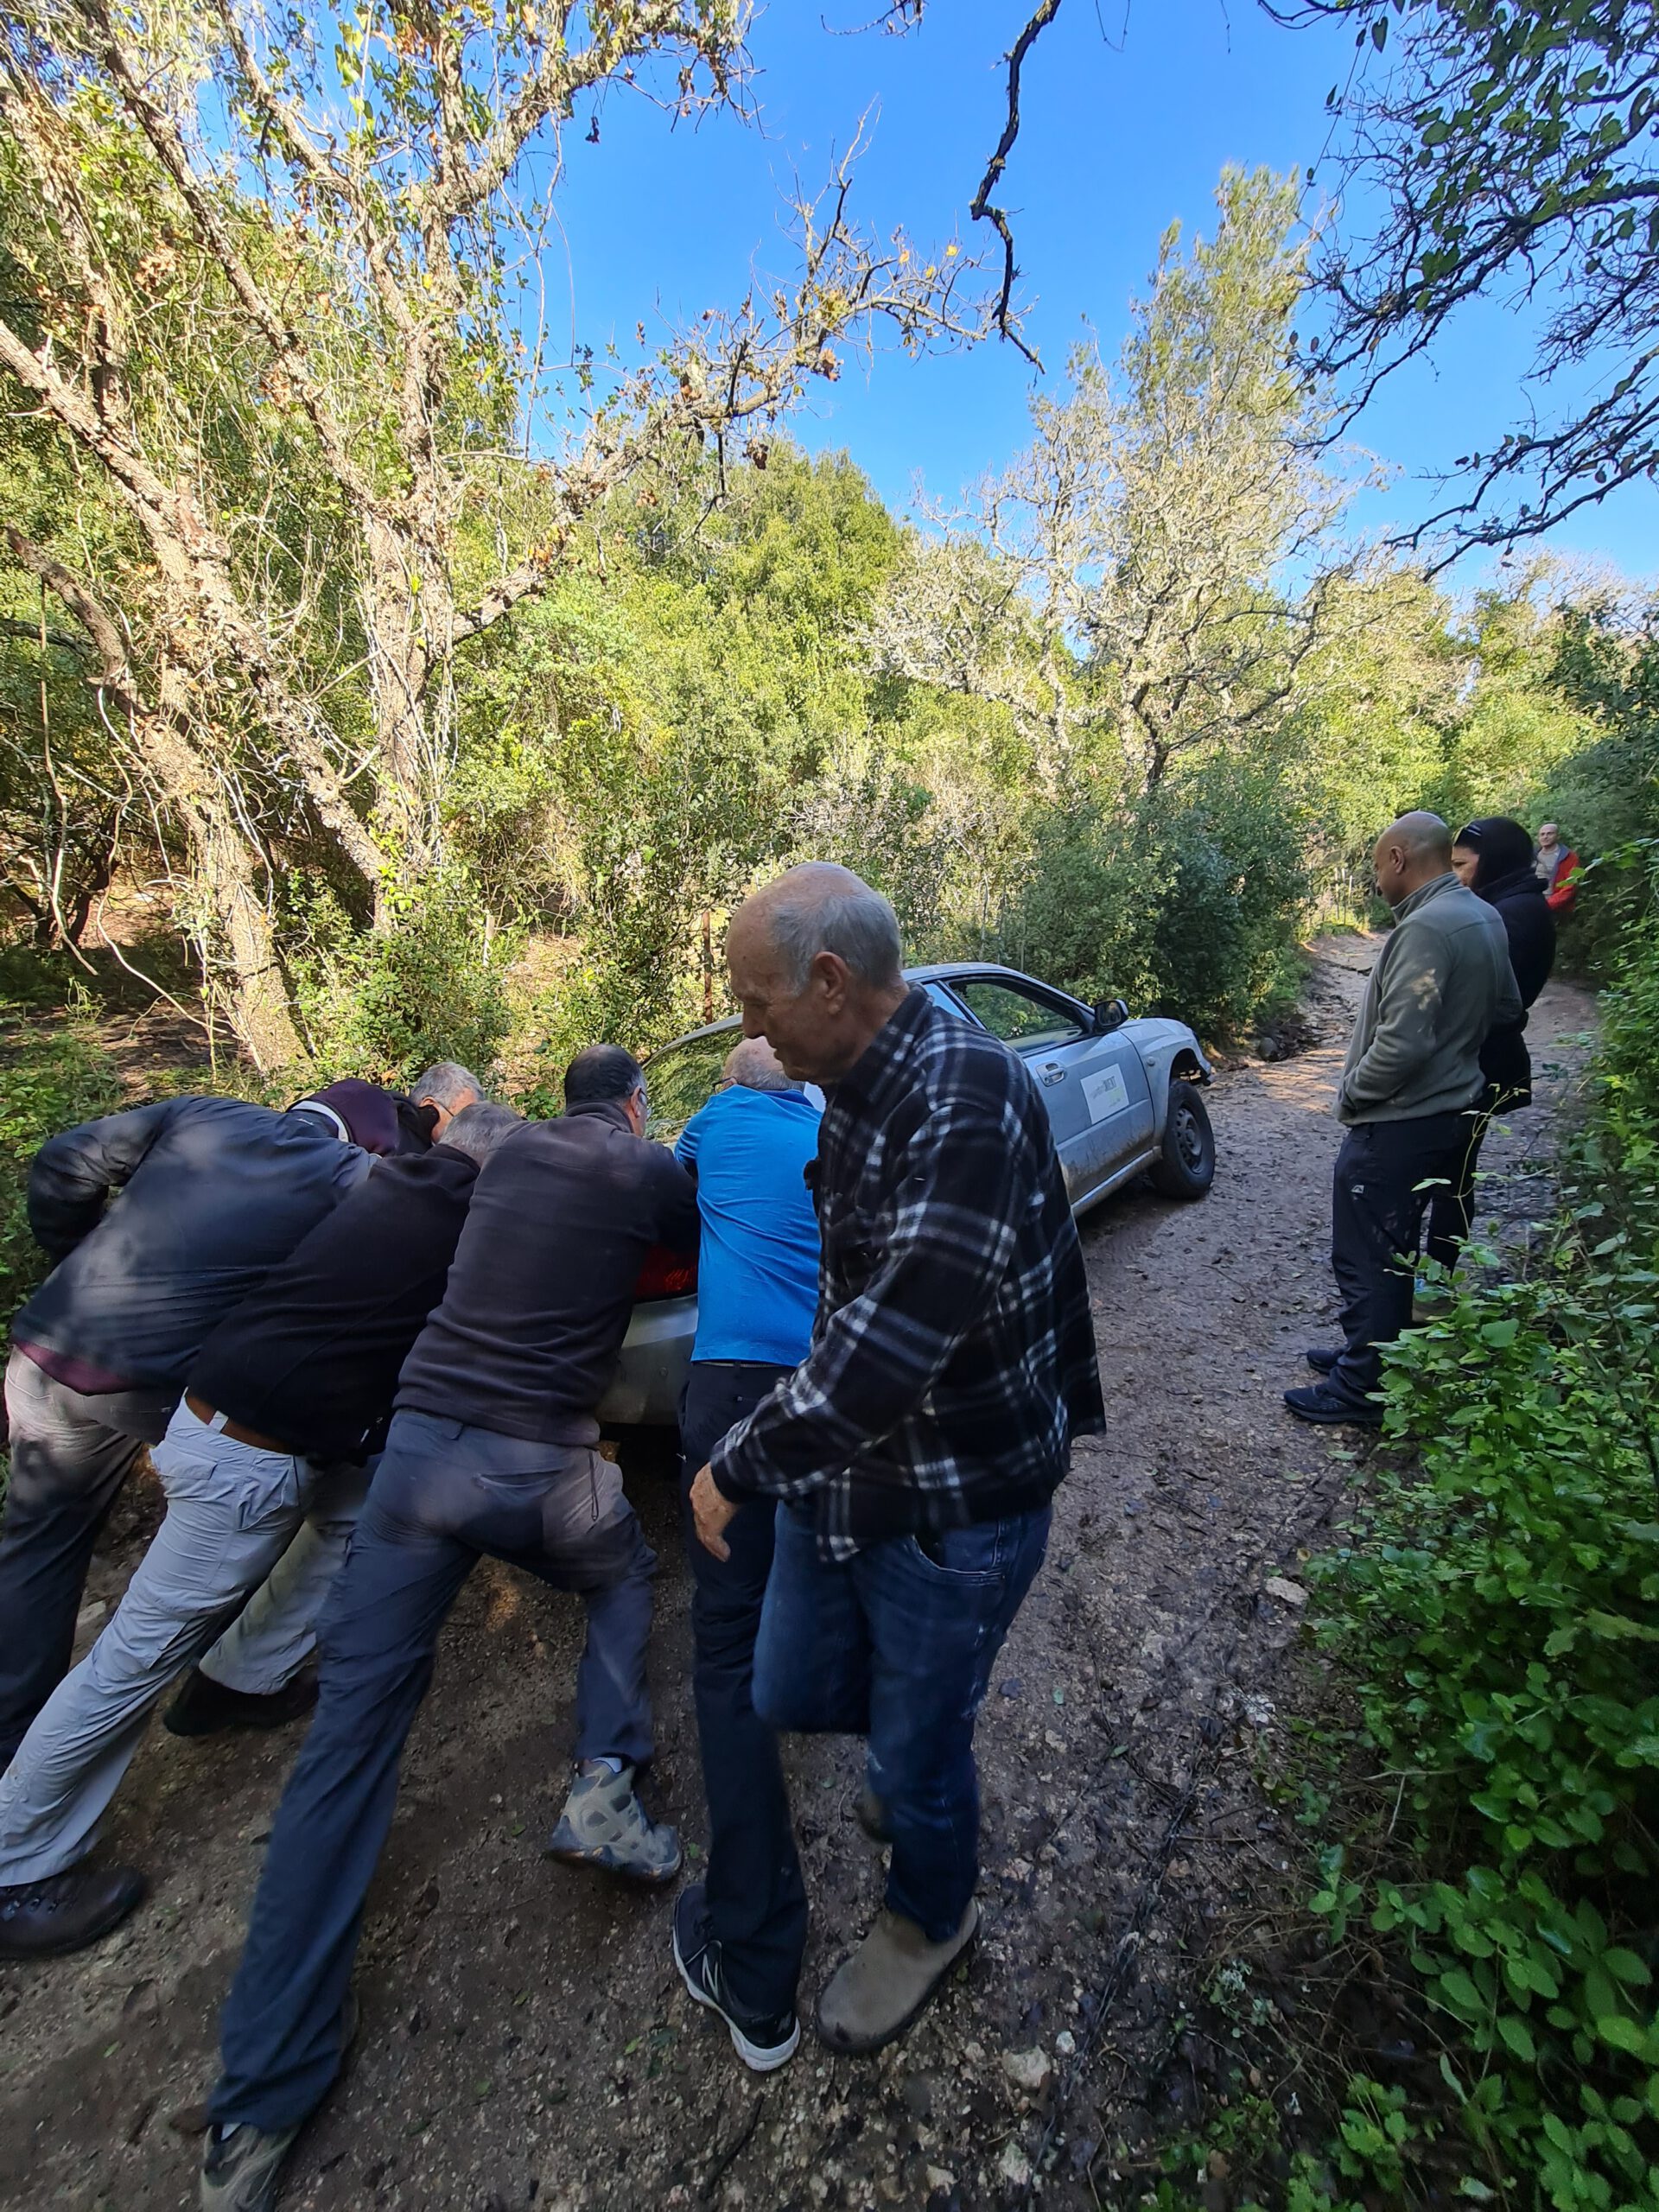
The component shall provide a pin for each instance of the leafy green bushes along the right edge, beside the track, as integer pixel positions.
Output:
(1501, 1616)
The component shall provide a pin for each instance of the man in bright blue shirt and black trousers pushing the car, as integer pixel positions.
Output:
(740, 1934)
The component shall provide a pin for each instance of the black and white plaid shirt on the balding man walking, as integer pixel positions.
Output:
(952, 1357)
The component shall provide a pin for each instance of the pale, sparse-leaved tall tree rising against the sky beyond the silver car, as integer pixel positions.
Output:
(1149, 578)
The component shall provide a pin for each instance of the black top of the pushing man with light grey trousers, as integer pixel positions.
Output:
(313, 1357)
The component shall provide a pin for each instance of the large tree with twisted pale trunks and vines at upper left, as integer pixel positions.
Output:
(264, 275)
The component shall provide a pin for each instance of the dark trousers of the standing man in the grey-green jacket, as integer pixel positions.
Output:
(1386, 1180)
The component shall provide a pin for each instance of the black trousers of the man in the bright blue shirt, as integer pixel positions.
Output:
(758, 1903)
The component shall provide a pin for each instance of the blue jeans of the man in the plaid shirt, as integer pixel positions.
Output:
(897, 1645)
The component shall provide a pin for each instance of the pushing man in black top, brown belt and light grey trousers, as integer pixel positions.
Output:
(280, 1415)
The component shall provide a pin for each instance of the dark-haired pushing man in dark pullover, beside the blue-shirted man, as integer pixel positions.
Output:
(490, 1452)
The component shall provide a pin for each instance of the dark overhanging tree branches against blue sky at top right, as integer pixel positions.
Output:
(1514, 149)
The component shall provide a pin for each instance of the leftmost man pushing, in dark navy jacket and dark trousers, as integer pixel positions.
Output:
(158, 1220)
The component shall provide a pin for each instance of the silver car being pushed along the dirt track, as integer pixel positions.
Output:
(1123, 1096)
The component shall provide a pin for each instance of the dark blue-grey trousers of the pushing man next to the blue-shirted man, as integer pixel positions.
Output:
(444, 1494)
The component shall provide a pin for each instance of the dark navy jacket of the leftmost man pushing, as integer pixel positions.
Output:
(165, 1218)
